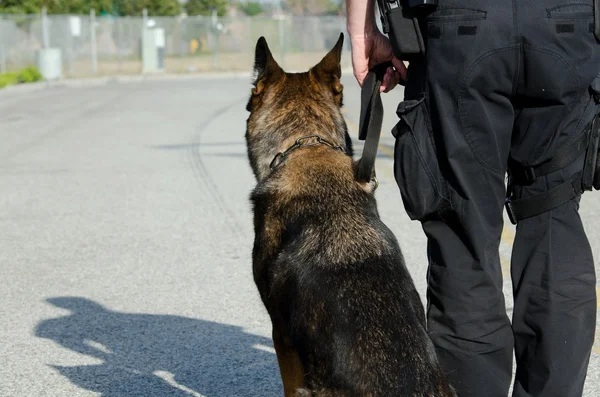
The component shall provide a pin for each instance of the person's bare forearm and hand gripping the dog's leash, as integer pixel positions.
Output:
(369, 46)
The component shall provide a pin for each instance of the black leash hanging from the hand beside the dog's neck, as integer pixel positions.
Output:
(371, 120)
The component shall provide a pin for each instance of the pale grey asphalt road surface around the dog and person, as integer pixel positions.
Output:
(125, 240)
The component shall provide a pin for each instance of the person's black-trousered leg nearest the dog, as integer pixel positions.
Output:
(471, 60)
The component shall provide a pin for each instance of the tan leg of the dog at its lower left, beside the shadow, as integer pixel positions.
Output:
(290, 366)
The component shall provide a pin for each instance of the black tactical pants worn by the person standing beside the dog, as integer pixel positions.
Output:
(501, 78)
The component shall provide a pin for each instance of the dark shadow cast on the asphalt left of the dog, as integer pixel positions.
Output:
(160, 355)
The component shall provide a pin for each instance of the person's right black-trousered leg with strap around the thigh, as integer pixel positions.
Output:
(552, 266)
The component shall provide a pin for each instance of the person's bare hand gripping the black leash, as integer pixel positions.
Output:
(372, 49)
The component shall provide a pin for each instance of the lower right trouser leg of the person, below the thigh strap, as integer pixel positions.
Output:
(554, 314)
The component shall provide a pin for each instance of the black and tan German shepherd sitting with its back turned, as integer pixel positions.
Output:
(347, 319)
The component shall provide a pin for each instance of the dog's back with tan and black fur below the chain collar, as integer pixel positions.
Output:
(341, 286)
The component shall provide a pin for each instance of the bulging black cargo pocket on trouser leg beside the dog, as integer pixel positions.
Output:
(416, 167)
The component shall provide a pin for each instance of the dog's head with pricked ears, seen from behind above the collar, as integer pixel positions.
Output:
(285, 106)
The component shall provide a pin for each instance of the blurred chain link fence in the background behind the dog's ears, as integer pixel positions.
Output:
(113, 45)
